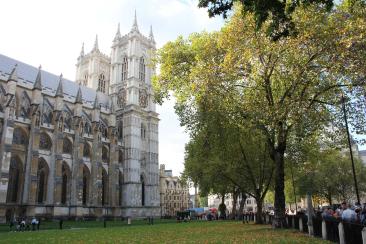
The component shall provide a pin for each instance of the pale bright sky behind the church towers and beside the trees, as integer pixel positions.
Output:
(51, 33)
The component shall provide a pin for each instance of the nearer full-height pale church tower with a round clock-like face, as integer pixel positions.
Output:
(131, 91)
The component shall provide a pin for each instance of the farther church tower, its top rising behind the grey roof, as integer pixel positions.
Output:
(92, 69)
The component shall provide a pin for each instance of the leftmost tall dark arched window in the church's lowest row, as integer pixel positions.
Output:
(15, 181)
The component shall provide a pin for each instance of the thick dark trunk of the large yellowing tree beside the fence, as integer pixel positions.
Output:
(280, 201)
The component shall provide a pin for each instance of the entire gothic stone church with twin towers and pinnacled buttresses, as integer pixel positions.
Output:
(84, 149)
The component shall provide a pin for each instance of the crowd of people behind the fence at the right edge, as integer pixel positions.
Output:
(347, 212)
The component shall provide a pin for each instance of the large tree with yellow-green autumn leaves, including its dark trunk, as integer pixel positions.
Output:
(282, 88)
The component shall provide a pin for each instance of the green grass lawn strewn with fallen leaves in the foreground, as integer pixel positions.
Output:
(193, 232)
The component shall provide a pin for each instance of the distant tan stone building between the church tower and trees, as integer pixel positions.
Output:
(174, 197)
